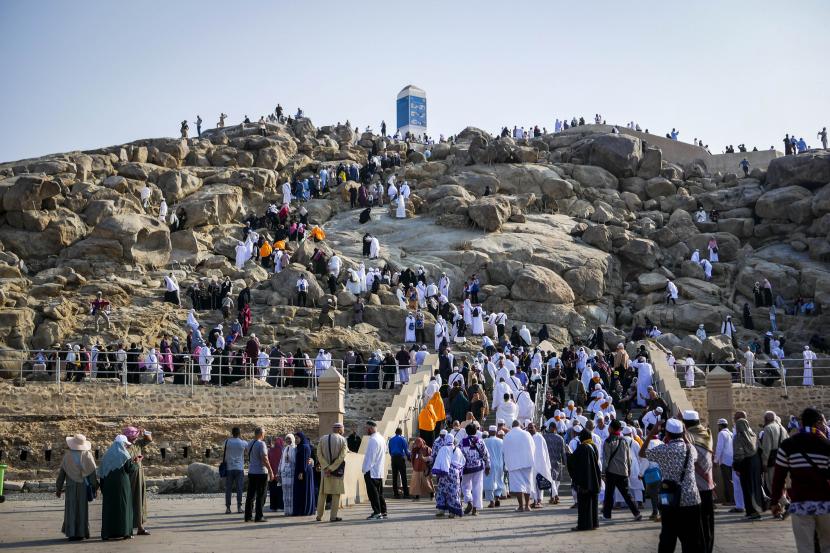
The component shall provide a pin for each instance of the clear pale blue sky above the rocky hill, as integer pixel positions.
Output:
(86, 74)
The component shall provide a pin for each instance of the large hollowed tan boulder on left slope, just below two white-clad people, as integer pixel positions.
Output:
(143, 239)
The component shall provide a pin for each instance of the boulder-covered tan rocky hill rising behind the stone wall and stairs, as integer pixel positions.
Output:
(581, 229)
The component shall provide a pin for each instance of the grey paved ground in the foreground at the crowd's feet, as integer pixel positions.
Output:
(184, 524)
